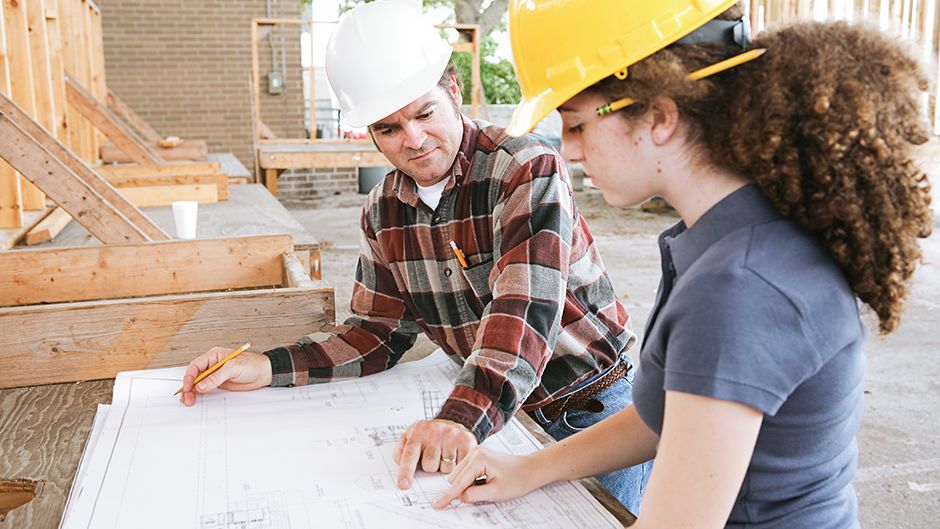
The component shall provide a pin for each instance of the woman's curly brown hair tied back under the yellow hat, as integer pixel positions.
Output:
(825, 122)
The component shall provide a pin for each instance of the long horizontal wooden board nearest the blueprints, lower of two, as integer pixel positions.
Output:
(67, 342)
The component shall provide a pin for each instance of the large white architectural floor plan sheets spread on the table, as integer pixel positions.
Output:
(305, 457)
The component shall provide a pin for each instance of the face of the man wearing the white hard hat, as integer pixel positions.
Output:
(422, 138)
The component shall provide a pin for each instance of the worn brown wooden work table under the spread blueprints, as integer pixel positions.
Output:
(43, 430)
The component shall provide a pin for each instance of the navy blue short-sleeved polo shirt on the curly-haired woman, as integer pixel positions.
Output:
(752, 309)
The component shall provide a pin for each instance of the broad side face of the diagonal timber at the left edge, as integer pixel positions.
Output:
(63, 186)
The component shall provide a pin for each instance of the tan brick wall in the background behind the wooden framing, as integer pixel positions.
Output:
(184, 66)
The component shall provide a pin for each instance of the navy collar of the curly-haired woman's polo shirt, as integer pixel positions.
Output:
(744, 207)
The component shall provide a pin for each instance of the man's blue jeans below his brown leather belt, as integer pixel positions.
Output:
(628, 484)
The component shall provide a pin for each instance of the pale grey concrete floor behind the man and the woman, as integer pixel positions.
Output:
(898, 481)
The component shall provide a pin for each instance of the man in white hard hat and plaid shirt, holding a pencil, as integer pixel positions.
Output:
(474, 240)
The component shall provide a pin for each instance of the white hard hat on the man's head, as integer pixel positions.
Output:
(382, 56)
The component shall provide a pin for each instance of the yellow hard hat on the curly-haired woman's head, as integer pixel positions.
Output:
(562, 47)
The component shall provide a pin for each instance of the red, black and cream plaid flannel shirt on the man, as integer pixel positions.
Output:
(533, 314)
